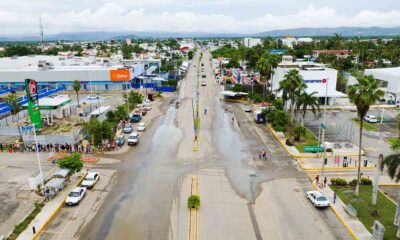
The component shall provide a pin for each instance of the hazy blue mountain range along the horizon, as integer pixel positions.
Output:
(297, 32)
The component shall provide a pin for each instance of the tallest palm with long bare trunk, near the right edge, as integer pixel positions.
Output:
(363, 94)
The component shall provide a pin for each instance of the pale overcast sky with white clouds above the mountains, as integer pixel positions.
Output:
(20, 17)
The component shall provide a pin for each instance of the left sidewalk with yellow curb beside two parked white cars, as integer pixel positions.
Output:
(50, 210)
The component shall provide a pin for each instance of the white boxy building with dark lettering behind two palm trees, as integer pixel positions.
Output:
(317, 77)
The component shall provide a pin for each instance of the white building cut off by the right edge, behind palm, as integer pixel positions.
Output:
(390, 78)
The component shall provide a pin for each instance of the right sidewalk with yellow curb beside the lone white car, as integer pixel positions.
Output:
(352, 224)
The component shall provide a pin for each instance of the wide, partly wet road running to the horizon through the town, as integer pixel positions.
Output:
(150, 177)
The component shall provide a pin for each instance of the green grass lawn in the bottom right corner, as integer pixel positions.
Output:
(384, 211)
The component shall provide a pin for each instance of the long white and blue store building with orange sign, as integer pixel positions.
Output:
(50, 71)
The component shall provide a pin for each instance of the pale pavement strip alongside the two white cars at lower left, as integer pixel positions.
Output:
(73, 218)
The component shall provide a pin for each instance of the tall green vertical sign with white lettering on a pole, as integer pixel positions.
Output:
(33, 102)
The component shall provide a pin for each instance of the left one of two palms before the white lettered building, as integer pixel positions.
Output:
(289, 86)
